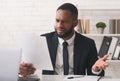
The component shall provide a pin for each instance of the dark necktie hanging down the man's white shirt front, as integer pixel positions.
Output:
(65, 58)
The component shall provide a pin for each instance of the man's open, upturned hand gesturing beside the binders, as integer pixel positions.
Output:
(100, 64)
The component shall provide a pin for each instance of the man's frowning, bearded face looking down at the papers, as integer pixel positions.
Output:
(65, 23)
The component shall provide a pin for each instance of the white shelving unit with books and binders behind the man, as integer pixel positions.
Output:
(110, 39)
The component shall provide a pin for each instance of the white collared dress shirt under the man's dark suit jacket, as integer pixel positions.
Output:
(59, 57)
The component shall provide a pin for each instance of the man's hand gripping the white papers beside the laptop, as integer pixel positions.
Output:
(26, 69)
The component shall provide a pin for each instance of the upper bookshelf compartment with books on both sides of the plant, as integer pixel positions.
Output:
(109, 16)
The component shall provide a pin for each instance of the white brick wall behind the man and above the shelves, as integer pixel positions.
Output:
(36, 15)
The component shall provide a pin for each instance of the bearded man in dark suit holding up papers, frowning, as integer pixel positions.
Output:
(82, 52)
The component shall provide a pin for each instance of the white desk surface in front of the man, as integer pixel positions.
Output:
(85, 78)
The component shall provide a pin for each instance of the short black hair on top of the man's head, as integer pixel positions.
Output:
(70, 7)
